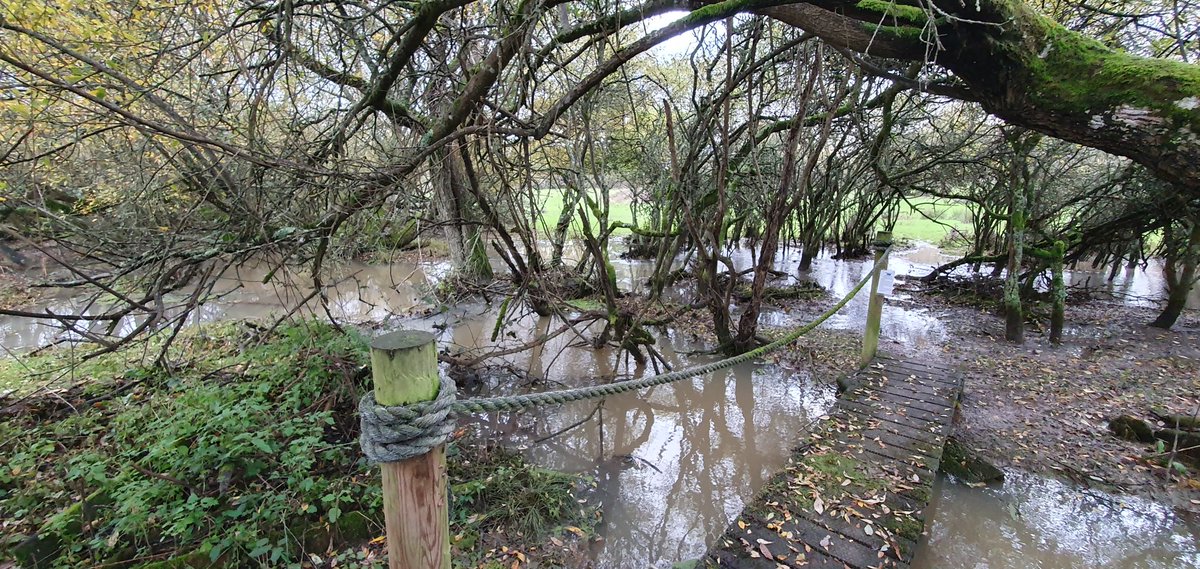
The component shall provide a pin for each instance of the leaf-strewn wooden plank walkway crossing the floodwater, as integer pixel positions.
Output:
(854, 496)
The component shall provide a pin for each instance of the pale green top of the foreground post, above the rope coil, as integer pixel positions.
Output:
(405, 367)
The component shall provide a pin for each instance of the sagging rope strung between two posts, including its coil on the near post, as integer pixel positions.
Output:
(400, 433)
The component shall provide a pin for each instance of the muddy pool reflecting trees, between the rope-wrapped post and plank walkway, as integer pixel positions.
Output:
(675, 464)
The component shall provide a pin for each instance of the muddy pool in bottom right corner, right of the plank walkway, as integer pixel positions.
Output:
(1040, 523)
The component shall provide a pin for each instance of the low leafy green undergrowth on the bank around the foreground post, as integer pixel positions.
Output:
(245, 453)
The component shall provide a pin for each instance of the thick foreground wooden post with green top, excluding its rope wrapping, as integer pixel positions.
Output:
(405, 370)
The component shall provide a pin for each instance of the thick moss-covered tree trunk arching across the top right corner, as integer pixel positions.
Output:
(1033, 73)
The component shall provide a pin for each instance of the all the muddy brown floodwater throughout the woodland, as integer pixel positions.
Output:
(676, 464)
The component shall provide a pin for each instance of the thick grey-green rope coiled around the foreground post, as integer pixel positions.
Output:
(400, 433)
